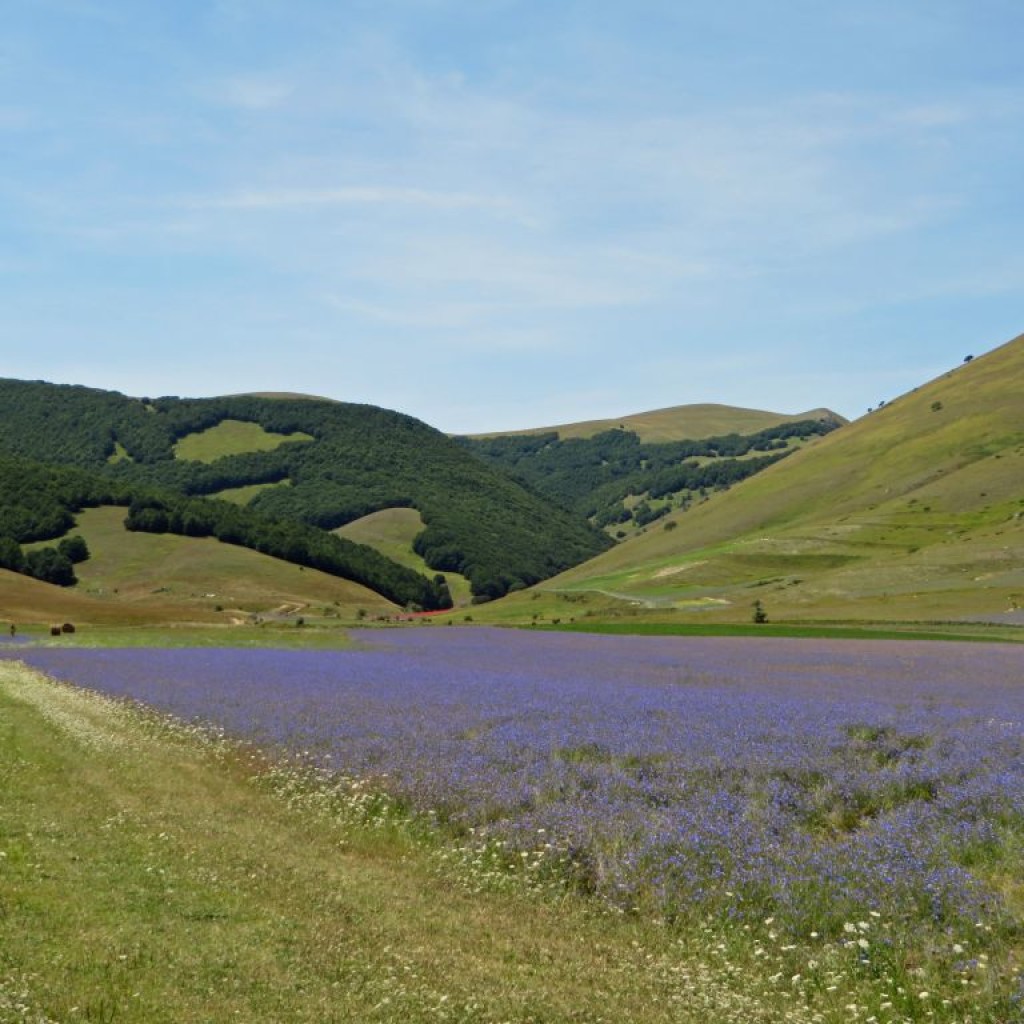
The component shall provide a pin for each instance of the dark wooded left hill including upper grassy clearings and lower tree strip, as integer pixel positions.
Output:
(302, 462)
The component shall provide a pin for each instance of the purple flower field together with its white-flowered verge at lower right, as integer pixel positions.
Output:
(846, 819)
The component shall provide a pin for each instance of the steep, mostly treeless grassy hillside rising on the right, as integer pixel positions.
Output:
(915, 511)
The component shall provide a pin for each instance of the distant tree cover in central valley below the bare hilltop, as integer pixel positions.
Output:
(593, 476)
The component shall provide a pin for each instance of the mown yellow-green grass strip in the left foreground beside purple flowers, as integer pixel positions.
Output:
(150, 874)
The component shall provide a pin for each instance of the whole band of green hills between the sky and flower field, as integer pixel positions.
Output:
(309, 516)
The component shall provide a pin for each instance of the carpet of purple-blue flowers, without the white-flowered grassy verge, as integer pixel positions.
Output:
(812, 781)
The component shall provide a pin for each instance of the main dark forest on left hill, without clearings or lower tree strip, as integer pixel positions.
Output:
(500, 534)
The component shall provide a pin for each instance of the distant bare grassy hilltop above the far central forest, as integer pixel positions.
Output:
(676, 423)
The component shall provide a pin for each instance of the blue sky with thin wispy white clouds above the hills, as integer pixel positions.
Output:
(495, 215)
